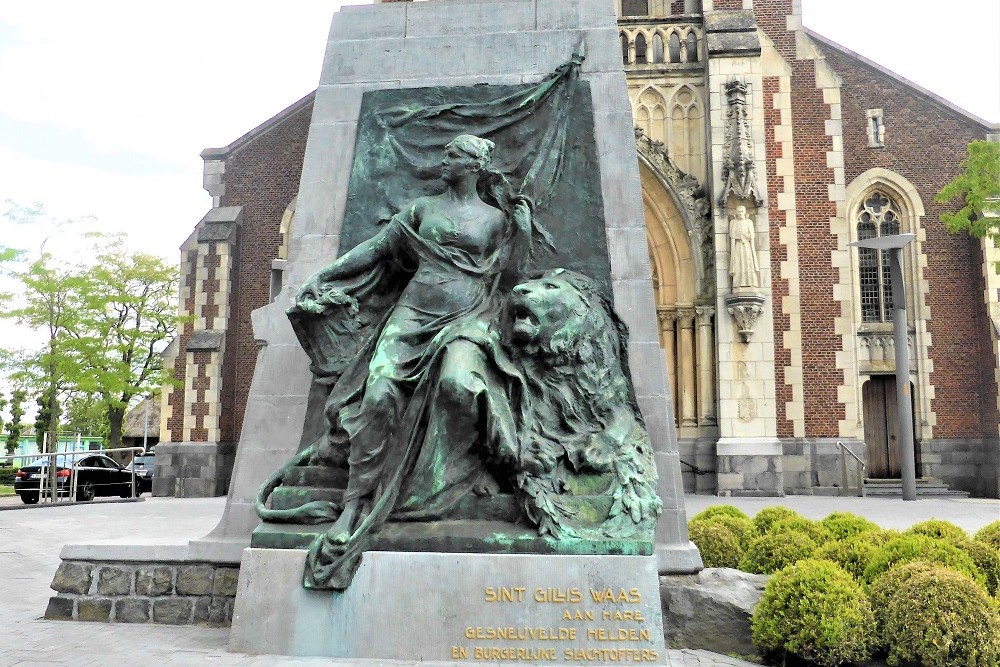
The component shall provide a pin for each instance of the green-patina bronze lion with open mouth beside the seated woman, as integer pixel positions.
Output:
(581, 432)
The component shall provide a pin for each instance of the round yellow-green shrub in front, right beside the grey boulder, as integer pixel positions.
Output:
(816, 611)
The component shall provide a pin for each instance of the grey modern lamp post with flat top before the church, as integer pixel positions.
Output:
(893, 245)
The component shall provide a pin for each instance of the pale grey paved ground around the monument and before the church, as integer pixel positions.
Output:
(30, 542)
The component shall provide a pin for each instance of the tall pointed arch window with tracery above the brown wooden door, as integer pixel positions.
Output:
(879, 216)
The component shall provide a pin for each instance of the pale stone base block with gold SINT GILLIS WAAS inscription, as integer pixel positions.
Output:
(461, 607)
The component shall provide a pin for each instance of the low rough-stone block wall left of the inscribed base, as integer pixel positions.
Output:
(153, 592)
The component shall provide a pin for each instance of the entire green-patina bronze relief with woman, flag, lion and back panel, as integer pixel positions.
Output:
(465, 404)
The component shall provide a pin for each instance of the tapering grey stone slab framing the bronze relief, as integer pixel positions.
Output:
(427, 44)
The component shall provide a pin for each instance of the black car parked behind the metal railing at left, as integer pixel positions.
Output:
(96, 475)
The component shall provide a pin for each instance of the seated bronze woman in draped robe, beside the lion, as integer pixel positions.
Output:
(418, 396)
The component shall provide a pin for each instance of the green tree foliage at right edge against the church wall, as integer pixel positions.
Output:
(979, 187)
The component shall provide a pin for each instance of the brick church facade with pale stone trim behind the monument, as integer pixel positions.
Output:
(774, 374)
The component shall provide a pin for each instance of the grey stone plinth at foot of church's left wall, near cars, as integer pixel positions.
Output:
(193, 469)
